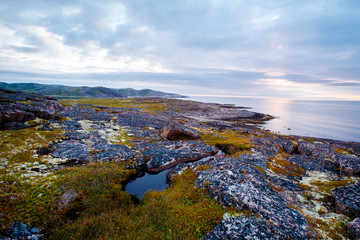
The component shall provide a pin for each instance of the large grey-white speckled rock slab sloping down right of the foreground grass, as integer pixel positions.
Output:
(237, 183)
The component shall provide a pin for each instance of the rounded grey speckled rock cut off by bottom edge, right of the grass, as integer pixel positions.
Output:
(244, 228)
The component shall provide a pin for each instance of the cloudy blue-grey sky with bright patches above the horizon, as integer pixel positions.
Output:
(308, 49)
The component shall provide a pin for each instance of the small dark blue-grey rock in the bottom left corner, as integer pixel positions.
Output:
(20, 230)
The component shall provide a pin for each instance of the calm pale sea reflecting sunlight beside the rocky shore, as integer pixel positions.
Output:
(338, 120)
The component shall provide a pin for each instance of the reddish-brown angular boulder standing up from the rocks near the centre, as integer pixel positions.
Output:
(175, 131)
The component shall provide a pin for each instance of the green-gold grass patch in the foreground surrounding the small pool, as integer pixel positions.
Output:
(107, 212)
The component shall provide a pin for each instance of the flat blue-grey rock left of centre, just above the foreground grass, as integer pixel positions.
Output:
(71, 150)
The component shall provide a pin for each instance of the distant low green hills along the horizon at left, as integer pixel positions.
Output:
(61, 91)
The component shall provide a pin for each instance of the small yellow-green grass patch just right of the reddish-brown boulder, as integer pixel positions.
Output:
(231, 142)
